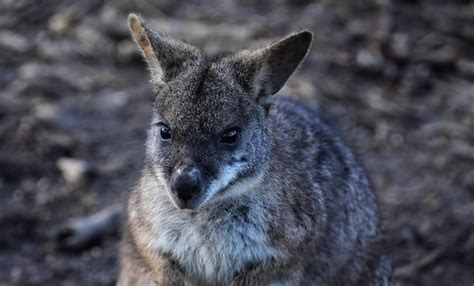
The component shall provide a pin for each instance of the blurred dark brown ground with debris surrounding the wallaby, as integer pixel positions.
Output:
(396, 76)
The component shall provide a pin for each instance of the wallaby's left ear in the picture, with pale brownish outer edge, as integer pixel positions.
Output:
(166, 57)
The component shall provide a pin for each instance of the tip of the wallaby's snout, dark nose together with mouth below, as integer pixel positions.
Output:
(186, 186)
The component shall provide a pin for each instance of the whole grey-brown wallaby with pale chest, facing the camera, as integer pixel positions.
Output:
(241, 187)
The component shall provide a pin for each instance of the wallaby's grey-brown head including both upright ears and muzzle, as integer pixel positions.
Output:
(208, 138)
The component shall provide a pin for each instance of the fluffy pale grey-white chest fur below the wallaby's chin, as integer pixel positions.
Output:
(213, 245)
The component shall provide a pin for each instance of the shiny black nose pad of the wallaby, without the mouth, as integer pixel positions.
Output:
(186, 184)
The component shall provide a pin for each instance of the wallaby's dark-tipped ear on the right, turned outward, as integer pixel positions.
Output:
(266, 70)
